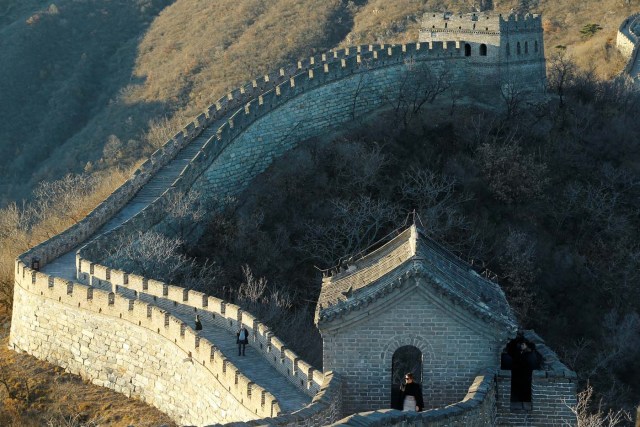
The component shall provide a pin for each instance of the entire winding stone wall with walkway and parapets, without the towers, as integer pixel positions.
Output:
(134, 335)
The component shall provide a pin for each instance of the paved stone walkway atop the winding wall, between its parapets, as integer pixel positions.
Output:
(254, 366)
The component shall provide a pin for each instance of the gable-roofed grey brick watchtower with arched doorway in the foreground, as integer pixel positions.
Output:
(412, 306)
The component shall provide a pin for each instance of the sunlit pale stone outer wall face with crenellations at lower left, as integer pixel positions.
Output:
(134, 348)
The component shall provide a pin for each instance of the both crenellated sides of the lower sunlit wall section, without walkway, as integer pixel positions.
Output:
(142, 351)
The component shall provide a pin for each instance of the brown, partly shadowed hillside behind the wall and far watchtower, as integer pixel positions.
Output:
(97, 72)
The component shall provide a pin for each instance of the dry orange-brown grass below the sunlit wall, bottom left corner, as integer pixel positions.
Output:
(60, 398)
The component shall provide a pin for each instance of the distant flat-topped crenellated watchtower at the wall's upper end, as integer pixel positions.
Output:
(506, 49)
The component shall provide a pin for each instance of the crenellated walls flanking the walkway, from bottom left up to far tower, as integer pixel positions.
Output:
(50, 313)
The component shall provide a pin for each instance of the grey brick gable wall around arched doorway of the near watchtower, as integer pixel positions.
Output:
(455, 346)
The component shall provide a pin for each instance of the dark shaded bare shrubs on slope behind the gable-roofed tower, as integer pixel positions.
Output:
(547, 204)
